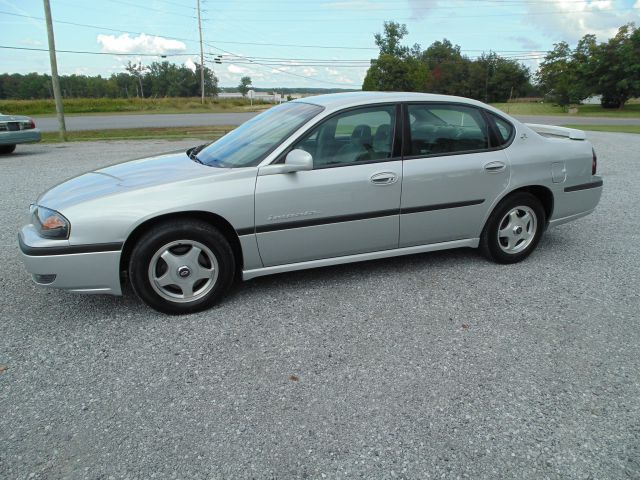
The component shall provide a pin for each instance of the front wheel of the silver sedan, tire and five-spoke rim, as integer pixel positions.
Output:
(181, 267)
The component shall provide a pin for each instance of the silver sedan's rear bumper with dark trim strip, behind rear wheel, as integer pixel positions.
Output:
(576, 201)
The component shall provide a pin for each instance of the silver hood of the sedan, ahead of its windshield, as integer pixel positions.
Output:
(133, 175)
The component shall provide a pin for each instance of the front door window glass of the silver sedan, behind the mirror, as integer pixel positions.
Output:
(359, 135)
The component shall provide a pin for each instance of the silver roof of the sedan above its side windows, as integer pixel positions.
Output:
(335, 101)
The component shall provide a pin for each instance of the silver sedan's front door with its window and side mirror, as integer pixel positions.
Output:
(348, 204)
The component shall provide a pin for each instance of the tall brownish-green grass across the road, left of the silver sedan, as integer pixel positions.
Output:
(130, 105)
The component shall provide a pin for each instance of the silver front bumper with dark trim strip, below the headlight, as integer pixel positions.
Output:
(81, 269)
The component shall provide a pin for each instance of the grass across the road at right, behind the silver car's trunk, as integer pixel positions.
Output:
(630, 110)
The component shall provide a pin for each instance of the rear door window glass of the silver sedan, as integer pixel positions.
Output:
(438, 129)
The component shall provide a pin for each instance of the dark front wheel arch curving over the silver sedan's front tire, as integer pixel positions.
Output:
(213, 219)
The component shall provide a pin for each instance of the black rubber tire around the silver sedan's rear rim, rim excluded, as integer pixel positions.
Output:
(489, 241)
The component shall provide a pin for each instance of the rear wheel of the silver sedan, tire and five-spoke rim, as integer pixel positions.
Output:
(514, 229)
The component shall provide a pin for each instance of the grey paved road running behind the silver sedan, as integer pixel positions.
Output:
(103, 122)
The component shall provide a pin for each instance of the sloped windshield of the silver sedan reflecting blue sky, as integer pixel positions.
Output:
(252, 141)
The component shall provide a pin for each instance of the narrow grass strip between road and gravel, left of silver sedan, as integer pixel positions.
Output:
(170, 133)
